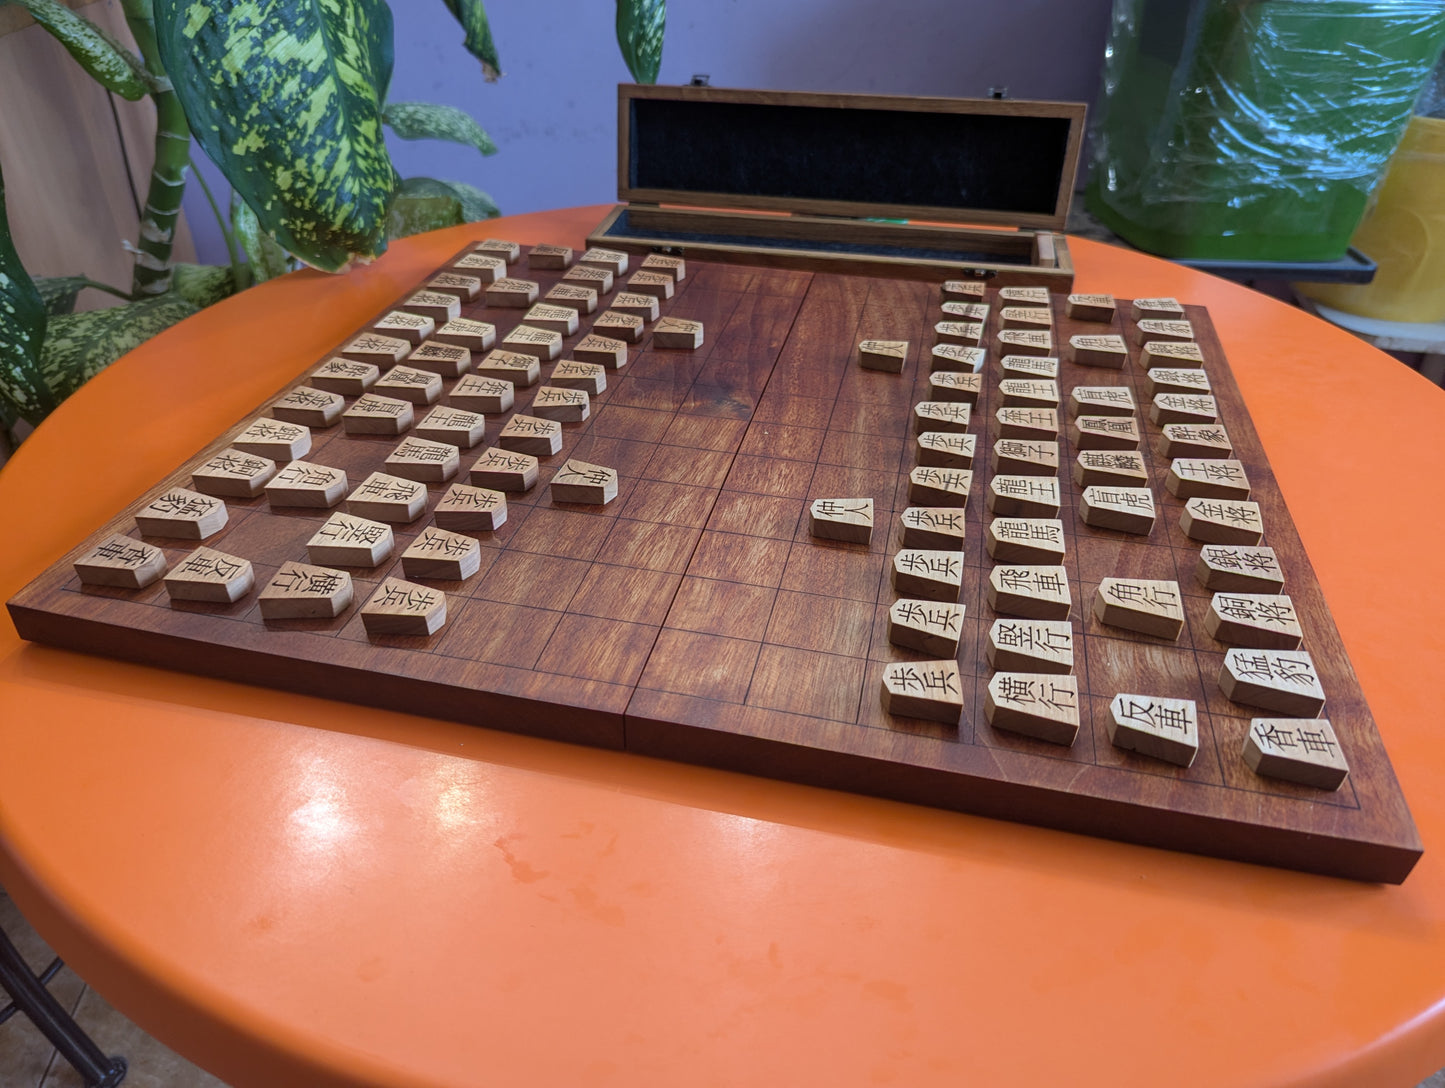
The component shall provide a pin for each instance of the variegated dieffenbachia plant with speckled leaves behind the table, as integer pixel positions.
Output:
(290, 100)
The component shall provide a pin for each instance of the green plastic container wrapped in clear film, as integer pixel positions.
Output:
(1254, 129)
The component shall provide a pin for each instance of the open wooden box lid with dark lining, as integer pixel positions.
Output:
(862, 155)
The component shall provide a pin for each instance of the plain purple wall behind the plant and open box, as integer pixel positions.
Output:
(554, 113)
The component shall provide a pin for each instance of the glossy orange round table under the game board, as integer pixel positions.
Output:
(296, 892)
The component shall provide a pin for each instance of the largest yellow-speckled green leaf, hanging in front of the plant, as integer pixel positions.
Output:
(285, 96)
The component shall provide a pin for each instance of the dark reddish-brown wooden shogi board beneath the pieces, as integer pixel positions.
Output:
(696, 619)
